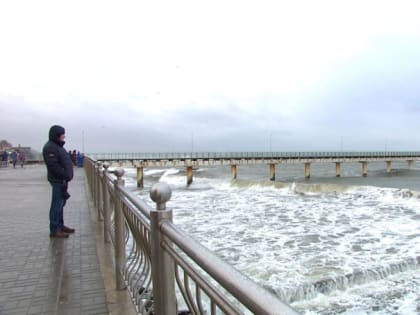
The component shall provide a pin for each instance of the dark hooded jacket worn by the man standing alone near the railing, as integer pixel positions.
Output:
(56, 158)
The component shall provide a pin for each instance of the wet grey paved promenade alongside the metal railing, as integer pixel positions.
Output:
(39, 275)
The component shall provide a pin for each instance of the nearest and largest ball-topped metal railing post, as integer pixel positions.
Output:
(163, 268)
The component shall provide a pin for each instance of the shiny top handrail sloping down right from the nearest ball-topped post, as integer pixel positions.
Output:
(258, 300)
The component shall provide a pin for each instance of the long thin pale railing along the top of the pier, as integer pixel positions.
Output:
(253, 155)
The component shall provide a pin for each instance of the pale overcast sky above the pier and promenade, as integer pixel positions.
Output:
(211, 75)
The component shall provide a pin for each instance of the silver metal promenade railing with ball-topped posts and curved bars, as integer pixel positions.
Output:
(165, 270)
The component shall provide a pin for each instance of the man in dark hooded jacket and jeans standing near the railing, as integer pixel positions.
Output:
(60, 172)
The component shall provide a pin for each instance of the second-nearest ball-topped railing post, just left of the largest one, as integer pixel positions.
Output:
(119, 231)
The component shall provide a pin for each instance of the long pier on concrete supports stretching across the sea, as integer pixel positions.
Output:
(272, 159)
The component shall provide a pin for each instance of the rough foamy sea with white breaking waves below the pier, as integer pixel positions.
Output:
(325, 245)
